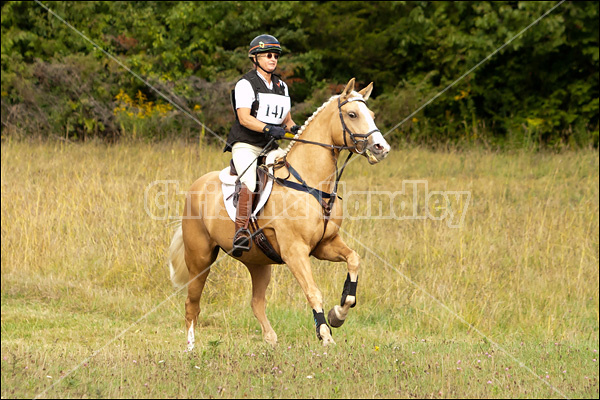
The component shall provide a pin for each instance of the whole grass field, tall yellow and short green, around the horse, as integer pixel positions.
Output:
(504, 305)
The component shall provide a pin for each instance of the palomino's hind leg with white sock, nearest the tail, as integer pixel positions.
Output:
(198, 261)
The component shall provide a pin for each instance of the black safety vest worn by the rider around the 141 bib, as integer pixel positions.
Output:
(240, 133)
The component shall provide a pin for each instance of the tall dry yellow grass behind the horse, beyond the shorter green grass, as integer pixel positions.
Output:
(524, 260)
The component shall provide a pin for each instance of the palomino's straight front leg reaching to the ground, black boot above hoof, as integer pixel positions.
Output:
(298, 261)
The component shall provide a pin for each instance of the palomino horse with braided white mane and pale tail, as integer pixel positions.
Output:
(308, 228)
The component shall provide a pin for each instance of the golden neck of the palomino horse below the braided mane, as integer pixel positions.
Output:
(315, 164)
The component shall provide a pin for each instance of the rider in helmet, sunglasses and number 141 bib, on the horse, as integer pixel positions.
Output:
(261, 102)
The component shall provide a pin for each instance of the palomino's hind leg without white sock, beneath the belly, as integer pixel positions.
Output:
(261, 276)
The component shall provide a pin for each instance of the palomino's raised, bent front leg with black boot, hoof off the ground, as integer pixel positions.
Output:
(336, 250)
